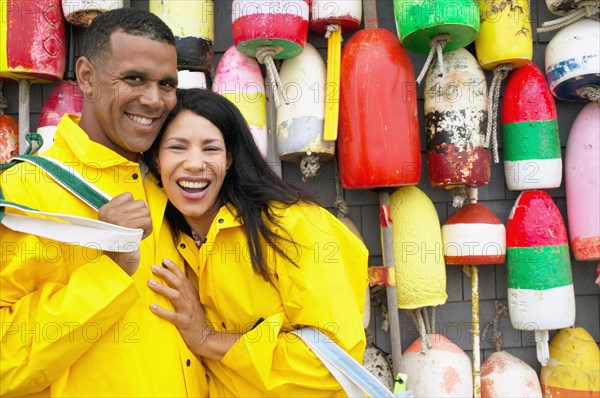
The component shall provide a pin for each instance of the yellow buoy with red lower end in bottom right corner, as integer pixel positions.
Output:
(574, 366)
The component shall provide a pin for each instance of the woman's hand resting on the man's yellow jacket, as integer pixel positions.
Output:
(188, 317)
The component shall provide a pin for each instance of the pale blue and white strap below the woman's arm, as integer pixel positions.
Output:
(352, 376)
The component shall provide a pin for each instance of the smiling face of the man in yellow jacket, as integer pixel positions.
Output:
(129, 93)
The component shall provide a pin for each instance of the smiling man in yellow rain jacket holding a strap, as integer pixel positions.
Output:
(75, 321)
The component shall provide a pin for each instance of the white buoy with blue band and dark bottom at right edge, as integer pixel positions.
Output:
(573, 61)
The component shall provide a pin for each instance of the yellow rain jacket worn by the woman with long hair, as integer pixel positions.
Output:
(326, 290)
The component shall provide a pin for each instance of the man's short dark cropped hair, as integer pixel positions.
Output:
(133, 21)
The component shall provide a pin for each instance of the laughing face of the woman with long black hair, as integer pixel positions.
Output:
(192, 161)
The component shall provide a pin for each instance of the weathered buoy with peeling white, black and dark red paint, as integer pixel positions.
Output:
(455, 118)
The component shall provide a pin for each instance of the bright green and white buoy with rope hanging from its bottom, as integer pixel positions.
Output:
(436, 26)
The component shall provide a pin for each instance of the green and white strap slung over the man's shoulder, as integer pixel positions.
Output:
(68, 228)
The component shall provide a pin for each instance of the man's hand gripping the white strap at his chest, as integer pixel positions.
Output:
(124, 211)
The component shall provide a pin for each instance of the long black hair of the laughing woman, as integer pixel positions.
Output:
(250, 185)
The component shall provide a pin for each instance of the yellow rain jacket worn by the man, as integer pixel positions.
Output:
(73, 323)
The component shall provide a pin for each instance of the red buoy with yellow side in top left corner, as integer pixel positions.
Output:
(33, 44)
